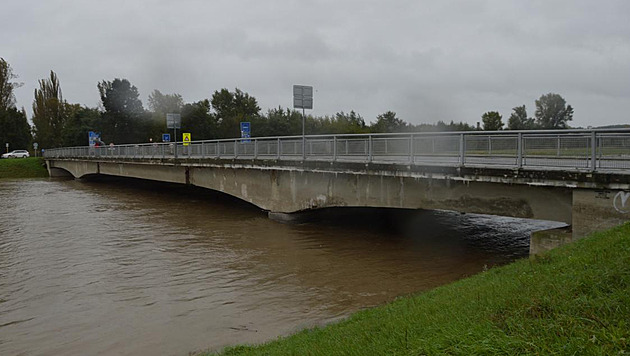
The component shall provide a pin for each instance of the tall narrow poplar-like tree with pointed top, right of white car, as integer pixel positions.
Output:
(49, 112)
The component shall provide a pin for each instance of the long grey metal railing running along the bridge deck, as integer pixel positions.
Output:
(590, 150)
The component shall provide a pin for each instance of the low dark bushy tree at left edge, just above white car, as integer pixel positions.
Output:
(14, 128)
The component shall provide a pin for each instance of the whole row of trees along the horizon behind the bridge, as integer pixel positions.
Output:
(122, 118)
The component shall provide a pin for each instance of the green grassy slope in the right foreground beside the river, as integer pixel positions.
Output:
(574, 300)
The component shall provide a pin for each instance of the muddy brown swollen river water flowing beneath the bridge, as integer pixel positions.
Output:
(136, 268)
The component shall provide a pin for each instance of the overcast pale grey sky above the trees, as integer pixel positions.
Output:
(425, 60)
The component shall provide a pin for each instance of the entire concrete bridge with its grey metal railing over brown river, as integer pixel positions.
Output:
(580, 177)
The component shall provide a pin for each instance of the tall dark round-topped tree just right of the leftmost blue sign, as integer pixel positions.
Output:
(123, 119)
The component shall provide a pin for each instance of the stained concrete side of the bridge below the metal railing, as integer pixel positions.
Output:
(285, 189)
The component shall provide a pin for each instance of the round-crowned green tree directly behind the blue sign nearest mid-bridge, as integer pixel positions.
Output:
(231, 108)
